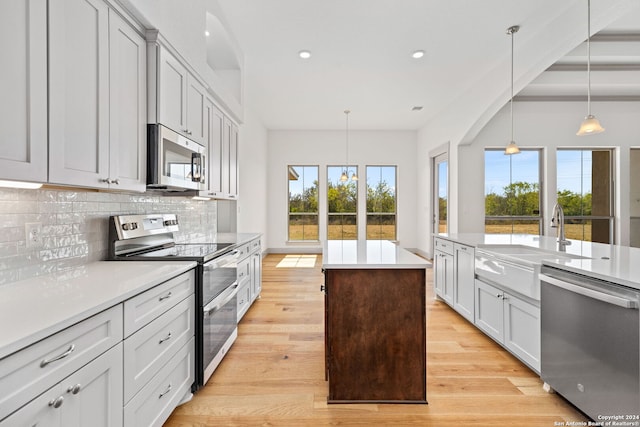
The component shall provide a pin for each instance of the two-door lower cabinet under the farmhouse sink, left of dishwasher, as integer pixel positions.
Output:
(510, 320)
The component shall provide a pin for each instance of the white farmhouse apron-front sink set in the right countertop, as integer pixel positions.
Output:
(514, 267)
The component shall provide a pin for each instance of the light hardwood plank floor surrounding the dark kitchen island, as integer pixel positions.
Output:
(274, 373)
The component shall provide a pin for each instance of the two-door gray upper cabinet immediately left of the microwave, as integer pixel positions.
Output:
(97, 133)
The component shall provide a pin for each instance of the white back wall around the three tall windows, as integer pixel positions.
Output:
(327, 148)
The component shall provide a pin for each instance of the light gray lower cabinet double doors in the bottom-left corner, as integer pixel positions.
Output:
(91, 396)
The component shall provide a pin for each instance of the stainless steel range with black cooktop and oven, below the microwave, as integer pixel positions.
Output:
(150, 237)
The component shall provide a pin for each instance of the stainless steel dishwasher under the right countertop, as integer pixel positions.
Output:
(590, 343)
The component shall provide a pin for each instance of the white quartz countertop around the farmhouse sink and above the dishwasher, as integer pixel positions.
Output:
(613, 263)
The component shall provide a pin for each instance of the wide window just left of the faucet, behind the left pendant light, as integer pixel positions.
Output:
(512, 192)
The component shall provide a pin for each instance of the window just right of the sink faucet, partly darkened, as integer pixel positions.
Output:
(584, 192)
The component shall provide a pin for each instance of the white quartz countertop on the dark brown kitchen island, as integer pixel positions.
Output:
(368, 254)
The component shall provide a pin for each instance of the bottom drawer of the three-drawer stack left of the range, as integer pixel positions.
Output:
(155, 402)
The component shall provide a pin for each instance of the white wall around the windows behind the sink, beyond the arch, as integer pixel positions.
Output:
(550, 125)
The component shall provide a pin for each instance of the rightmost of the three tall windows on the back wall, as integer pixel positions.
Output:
(381, 202)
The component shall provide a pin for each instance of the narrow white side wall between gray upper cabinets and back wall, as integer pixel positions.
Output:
(253, 200)
